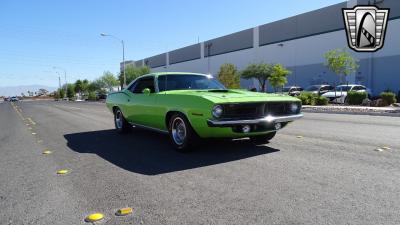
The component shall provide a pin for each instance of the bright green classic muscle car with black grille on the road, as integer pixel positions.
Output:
(191, 106)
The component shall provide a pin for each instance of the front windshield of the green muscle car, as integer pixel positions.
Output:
(186, 82)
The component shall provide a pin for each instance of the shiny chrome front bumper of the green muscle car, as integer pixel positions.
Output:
(267, 119)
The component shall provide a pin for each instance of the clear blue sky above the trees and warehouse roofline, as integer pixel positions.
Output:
(37, 35)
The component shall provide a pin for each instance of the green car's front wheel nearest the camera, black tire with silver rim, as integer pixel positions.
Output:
(177, 125)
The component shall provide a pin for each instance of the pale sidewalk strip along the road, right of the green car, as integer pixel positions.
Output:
(358, 110)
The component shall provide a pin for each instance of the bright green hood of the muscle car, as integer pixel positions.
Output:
(234, 95)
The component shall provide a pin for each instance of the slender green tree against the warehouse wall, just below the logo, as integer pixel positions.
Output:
(341, 62)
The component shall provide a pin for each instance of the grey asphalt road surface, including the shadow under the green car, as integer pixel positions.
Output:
(323, 169)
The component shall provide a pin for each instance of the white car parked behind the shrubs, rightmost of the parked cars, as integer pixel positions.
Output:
(339, 94)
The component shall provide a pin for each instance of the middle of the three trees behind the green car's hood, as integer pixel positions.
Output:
(261, 72)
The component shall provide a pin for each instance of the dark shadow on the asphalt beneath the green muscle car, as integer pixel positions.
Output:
(150, 153)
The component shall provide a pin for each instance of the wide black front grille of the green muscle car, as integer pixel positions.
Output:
(256, 110)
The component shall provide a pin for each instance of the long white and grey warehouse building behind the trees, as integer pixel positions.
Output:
(299, 43)
